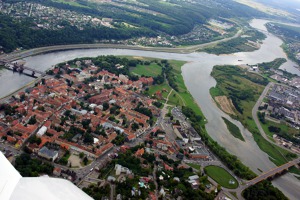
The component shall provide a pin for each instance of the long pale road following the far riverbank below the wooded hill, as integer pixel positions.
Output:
(31, 52)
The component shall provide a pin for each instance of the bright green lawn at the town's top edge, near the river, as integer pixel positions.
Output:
(147, 70)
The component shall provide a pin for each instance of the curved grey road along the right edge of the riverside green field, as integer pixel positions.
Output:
(257, 122)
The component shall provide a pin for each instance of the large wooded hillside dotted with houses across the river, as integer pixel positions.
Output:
(33, 23)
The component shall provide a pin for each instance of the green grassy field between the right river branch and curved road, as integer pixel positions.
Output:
(246, 89)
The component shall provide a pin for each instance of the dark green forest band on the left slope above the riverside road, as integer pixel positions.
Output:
(15, 34)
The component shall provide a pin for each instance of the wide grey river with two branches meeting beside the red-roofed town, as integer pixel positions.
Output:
(197, 78)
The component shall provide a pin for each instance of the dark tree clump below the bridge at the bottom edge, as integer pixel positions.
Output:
(264, 191)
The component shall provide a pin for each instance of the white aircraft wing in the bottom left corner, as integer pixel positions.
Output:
(14, 187)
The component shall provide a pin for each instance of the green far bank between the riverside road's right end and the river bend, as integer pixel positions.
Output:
(249, 41)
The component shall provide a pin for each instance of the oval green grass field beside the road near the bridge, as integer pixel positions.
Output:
(221, 176)
